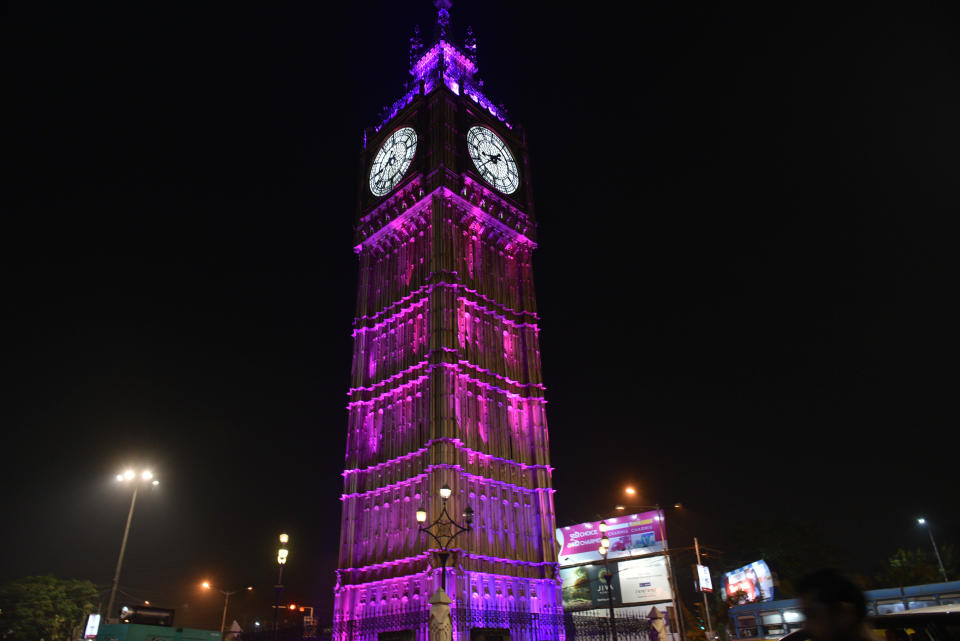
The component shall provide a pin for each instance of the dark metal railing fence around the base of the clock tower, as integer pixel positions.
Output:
(523, 626)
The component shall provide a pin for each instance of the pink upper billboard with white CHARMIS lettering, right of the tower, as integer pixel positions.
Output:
(631, 535)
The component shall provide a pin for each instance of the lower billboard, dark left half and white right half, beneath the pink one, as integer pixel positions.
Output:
(632, 581)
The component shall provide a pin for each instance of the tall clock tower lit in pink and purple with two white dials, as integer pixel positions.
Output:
(446, 385)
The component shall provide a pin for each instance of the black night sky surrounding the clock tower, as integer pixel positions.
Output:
(746, 272)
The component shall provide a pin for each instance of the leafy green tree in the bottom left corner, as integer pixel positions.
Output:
(44, 607)
